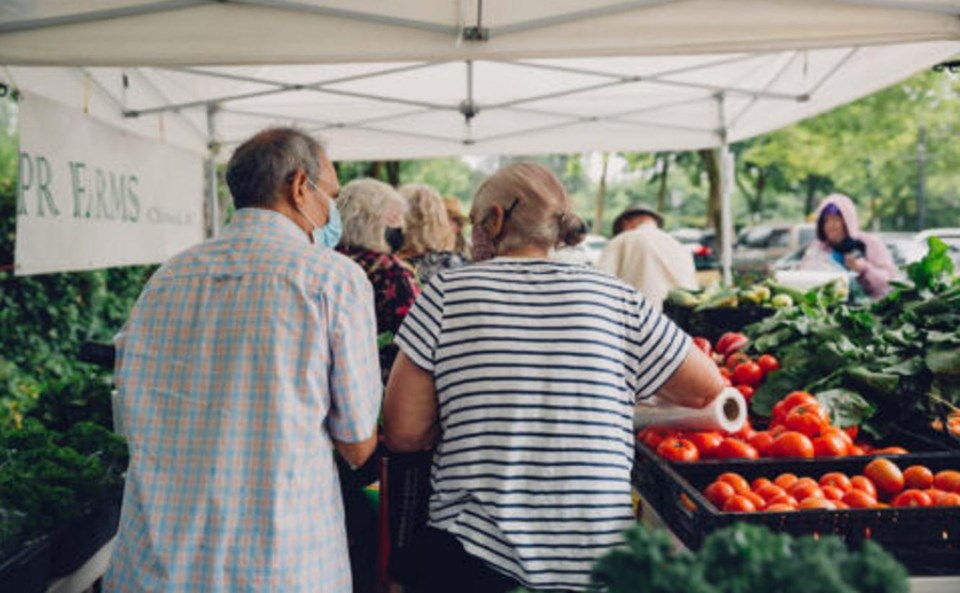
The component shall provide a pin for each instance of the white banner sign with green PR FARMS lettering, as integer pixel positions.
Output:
(92, 196)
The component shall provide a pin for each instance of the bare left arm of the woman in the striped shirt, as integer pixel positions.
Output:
(410, 408)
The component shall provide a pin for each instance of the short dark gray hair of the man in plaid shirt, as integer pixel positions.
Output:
(263, 164)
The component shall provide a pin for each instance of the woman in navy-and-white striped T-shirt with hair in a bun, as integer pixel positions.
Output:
(521, 373)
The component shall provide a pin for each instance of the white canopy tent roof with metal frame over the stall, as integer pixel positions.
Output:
(444, 77)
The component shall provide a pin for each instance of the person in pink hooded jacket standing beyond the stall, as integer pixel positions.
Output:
(840, 239)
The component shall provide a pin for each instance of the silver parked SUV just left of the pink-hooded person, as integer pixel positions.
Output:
(759, 247)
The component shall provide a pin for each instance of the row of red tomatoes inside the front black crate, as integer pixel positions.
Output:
(881, 485)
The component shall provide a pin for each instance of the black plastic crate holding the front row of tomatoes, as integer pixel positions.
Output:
(926, 540)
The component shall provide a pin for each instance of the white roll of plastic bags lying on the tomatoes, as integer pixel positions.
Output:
(727, 412)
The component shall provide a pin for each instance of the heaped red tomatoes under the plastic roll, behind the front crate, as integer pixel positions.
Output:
(799, 428)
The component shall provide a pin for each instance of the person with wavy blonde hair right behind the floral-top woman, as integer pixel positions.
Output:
(429, 238)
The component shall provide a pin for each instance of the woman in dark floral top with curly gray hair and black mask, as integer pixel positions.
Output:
(371, 211)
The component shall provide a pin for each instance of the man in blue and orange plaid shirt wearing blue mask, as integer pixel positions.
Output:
(246, 362)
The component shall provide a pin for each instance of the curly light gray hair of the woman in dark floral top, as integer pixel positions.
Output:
(365, 205)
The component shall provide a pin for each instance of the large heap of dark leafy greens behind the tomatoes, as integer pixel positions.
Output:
(900, 356)
